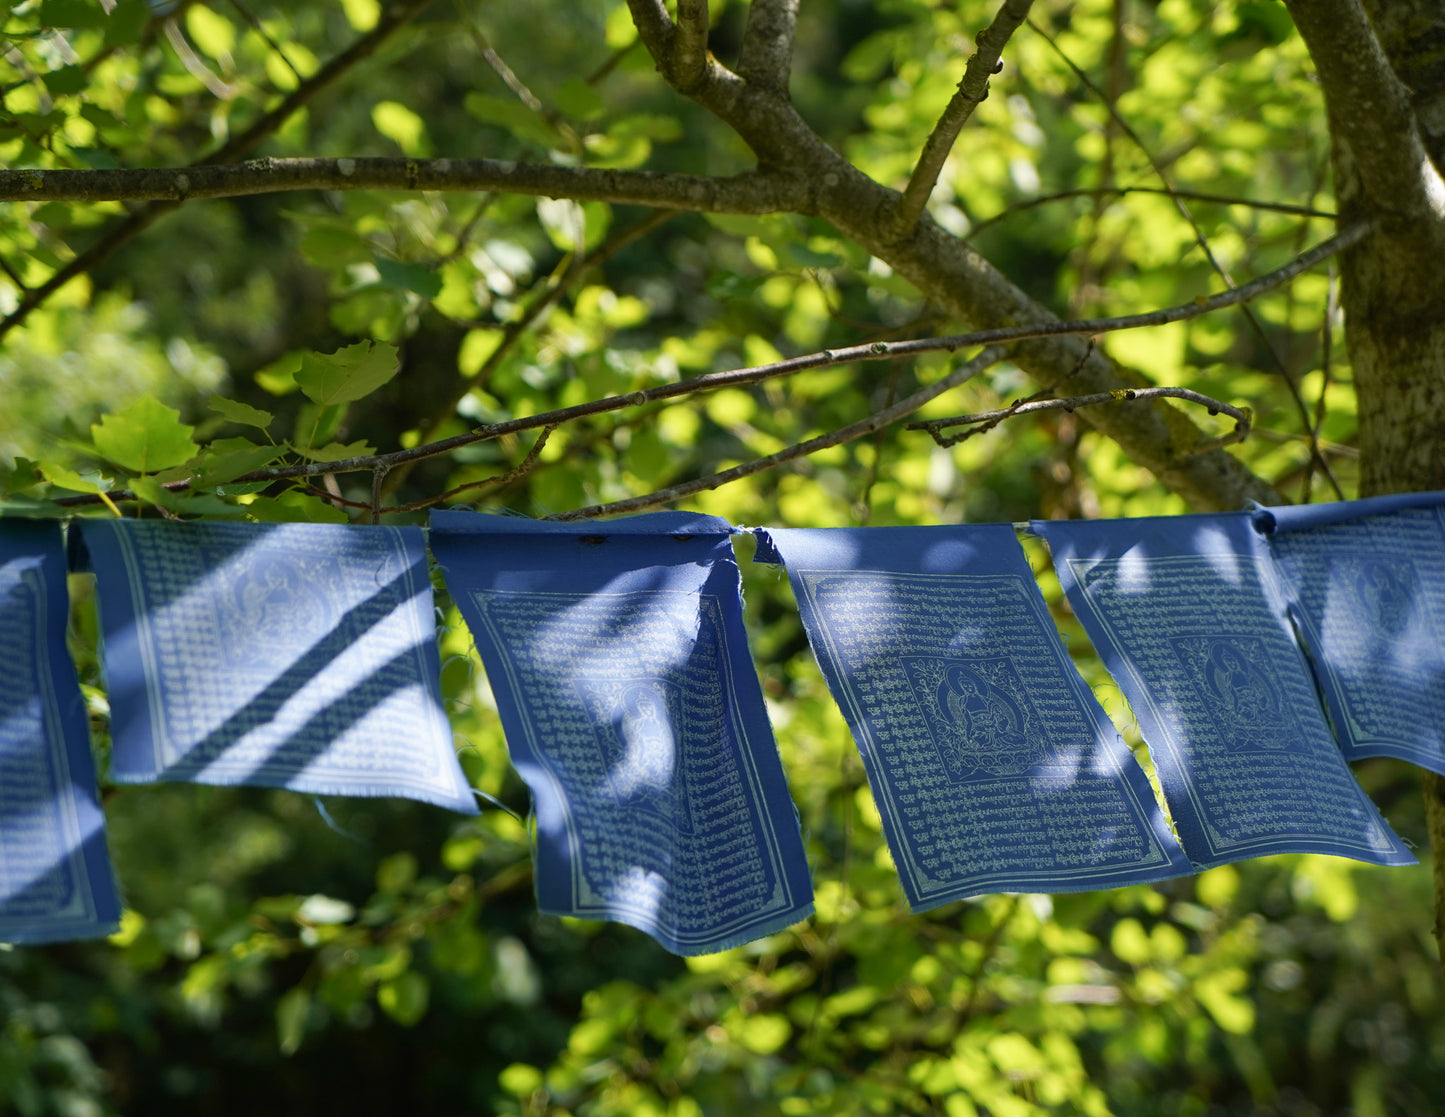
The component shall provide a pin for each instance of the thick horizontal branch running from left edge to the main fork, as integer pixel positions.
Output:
(741, 194)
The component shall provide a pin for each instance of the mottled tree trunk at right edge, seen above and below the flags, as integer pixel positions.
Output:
(1384, 73)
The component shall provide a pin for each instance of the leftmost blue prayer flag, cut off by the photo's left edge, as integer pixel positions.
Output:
(56, 879)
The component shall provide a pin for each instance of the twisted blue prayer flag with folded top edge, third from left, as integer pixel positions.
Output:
(622, 674)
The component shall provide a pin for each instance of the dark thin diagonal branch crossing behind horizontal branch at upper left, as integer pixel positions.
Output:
(124, 232)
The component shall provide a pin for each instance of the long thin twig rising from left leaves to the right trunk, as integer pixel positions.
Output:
(872, 352)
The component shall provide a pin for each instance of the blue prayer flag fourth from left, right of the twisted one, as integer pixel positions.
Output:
(992, 765)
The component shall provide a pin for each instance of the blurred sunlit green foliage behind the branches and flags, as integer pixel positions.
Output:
(284, 954)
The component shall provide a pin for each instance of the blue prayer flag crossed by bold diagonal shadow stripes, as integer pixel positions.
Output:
(291, 655)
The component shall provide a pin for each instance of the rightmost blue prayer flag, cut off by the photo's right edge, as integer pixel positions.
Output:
(1366, 586)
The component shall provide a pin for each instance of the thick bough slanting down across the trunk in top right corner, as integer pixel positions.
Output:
(1371, 111)
